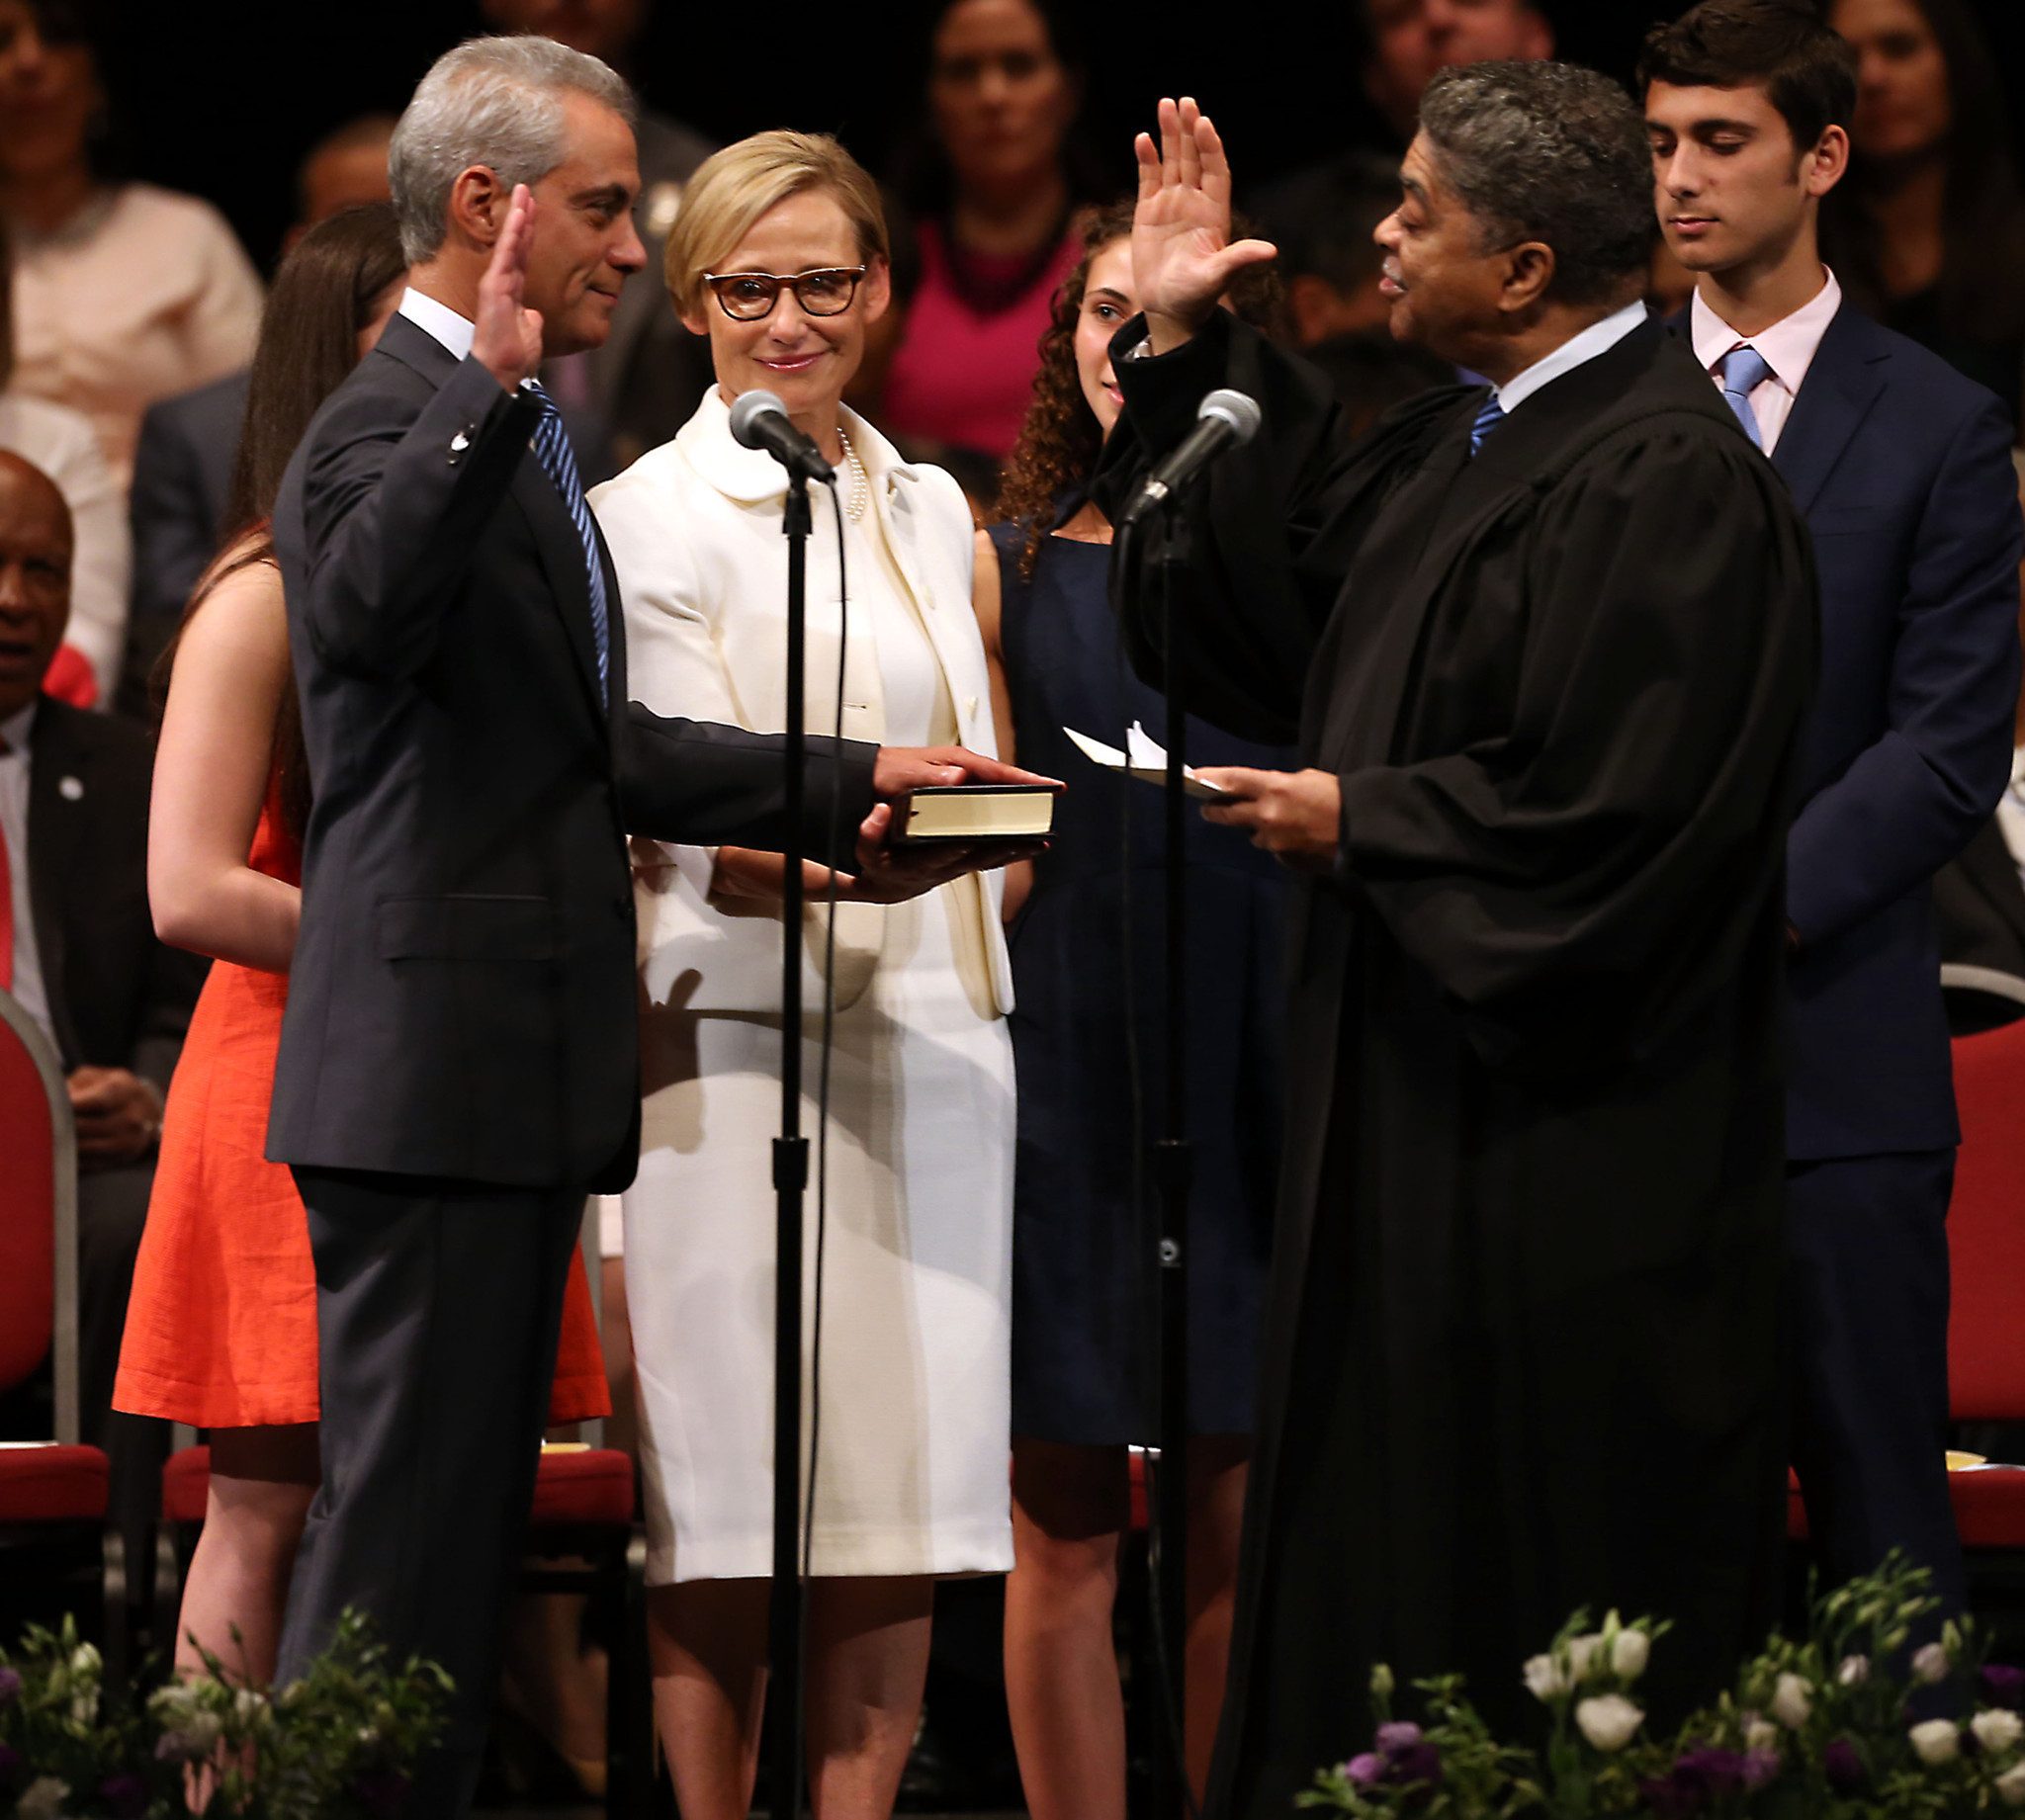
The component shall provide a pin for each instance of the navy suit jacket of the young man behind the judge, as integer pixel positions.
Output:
(1905, 475)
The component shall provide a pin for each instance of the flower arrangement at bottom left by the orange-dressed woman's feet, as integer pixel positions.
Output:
(333, 1746)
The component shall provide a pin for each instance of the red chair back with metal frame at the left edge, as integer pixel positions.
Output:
(37, 1214)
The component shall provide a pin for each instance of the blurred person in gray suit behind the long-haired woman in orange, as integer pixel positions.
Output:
(183, 463)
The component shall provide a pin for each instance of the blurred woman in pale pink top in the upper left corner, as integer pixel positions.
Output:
(123, 293)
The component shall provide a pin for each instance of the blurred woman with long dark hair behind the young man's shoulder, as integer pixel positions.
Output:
(1929, 232)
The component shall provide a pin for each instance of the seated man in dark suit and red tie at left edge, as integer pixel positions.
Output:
(78, 948)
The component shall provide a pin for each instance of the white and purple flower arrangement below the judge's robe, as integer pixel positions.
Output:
(1824, 1728)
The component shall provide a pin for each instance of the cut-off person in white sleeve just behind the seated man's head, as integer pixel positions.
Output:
(64, 444)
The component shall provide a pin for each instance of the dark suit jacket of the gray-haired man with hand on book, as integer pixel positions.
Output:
(463, 999)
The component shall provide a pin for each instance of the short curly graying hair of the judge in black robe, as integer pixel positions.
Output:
(1548, 153)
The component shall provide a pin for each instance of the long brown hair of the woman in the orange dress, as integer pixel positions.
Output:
(309, 343)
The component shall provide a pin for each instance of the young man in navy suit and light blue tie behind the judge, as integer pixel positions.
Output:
(1905, 475)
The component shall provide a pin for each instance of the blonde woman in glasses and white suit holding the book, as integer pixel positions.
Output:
(781, 258)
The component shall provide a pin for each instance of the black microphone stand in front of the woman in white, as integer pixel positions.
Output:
(791, 1179)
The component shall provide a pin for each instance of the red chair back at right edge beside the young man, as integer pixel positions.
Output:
(1988, 1230)
